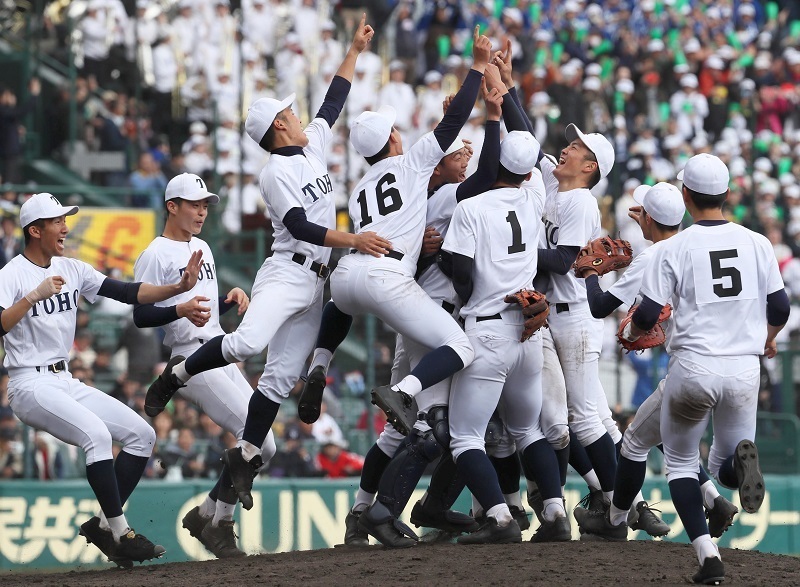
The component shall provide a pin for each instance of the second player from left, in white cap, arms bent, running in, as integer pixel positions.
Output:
(221, 393)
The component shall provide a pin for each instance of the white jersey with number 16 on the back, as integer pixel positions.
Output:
(391, 198)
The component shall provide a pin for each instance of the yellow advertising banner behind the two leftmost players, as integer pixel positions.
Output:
(110, 238)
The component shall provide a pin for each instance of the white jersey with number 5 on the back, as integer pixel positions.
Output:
(721, 276)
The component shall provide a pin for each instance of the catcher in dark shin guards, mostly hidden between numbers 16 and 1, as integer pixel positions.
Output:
(395, 480)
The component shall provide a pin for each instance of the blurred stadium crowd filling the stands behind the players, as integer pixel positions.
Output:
(169, 82)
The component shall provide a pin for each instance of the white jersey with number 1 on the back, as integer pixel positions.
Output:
(506, 224)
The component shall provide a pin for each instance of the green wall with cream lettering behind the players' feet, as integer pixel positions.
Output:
(39, 520)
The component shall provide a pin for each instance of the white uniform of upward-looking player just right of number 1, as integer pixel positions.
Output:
(572, 218)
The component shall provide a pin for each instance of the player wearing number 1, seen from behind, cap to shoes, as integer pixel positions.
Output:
(493, 239)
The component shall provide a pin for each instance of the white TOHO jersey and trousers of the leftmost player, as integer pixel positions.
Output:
(41, 391)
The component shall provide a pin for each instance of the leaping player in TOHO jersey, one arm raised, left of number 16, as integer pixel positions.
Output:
(287, 294)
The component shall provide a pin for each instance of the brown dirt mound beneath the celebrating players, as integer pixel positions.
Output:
(576, 563)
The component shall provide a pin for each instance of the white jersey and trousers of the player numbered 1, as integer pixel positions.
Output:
(499, 230)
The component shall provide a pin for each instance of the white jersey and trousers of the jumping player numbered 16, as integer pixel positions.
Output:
(391, 201)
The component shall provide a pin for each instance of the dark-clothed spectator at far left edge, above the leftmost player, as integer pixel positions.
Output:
(11, 131)
